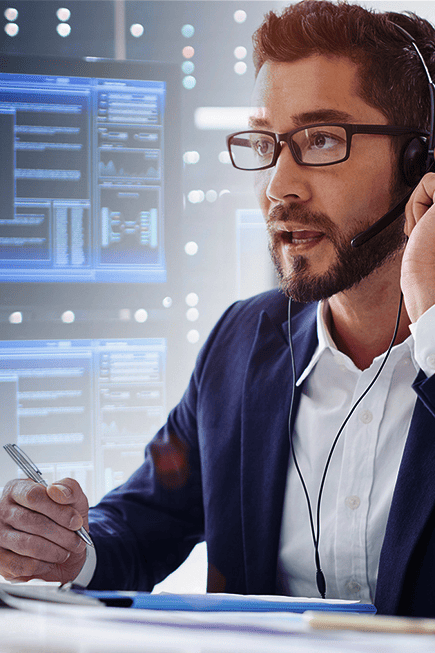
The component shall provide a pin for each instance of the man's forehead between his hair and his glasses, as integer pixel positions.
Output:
(285, 93)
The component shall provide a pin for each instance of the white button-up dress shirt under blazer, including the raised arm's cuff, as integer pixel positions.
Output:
(364, 466)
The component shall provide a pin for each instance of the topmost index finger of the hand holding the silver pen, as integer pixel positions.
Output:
(35, 497)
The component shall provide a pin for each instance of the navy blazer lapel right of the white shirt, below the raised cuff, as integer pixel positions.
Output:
(413, 501)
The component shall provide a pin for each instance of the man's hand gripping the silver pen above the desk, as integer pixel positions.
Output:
(37, 524)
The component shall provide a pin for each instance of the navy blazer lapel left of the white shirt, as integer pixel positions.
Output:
(265, 446)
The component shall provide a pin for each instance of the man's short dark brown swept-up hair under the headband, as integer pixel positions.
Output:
(391, 76)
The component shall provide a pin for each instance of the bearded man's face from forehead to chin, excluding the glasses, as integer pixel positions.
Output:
(312, 213)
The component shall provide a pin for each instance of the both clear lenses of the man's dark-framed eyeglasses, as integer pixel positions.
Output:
(311, 145)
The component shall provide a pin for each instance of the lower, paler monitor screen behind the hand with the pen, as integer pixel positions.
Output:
(82, 408)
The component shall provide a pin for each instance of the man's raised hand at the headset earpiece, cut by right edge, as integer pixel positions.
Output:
(418, 265)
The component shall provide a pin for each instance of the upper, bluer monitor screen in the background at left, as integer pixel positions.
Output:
(85, 169)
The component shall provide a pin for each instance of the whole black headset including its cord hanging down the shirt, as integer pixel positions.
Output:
(417, 158)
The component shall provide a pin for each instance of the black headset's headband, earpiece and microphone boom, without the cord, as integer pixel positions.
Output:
(417, 159)
